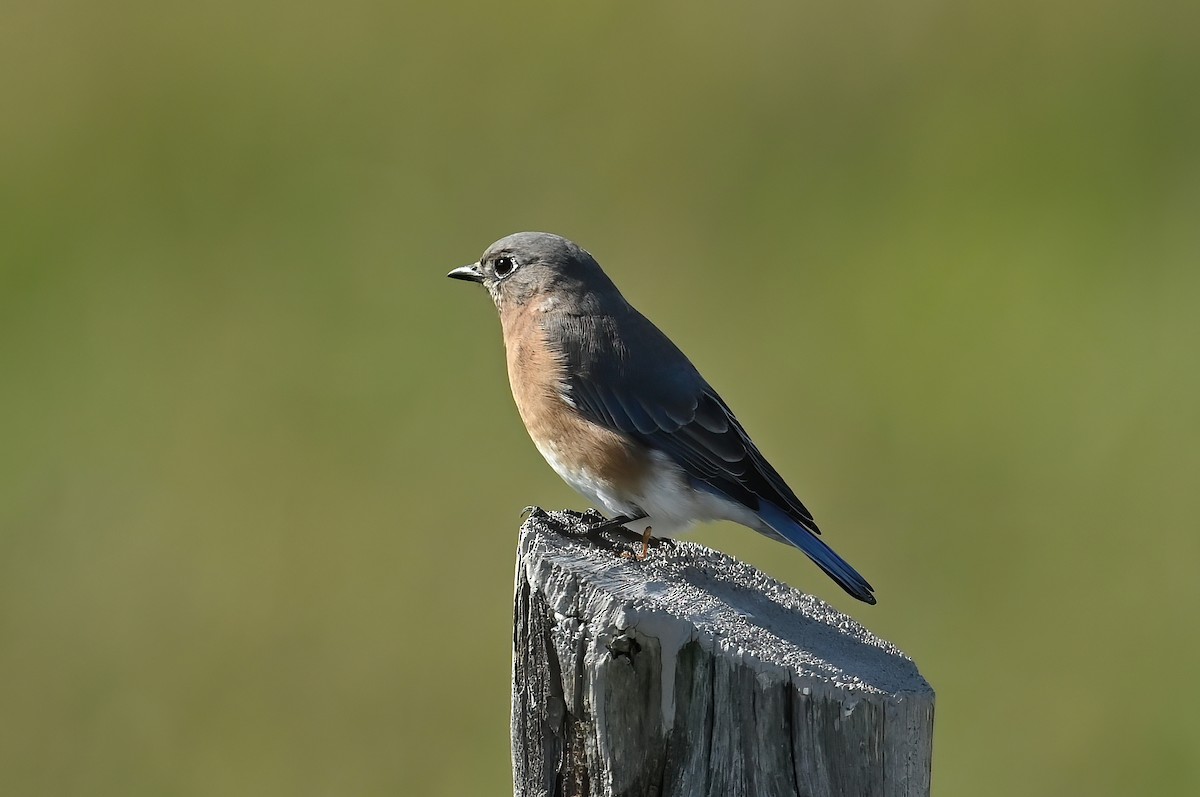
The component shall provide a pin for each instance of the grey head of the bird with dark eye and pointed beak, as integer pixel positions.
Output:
(526, 267)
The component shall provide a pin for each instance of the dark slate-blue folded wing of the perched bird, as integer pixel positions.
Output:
(673, 410)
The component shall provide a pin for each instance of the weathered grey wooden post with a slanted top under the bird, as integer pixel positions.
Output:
(692, 675)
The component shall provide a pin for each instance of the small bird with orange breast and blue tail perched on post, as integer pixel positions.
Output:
(621, 414)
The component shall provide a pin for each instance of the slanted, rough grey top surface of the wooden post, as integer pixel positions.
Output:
(692, 591)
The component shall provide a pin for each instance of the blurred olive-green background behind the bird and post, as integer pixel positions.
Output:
(261, 472)
